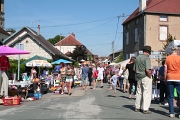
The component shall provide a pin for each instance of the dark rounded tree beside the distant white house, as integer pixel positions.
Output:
(80, 52)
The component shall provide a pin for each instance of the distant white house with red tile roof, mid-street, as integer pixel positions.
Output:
(69, 43)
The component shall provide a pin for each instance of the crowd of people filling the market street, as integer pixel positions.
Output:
(135, 79)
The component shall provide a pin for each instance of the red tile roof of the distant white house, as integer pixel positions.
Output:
(69, 41)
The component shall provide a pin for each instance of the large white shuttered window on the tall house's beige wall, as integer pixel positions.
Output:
(163, 33)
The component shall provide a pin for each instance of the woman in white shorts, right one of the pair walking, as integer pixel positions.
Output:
(69, 74)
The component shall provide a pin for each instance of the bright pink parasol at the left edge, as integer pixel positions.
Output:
(6, 50)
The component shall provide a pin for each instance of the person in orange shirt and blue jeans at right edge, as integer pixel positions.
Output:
(172, 78)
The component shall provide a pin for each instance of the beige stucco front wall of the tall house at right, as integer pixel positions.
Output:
(152, 30)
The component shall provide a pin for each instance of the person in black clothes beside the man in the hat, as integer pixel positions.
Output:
(131, 77)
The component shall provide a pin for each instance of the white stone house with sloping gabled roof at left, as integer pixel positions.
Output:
(29, 40)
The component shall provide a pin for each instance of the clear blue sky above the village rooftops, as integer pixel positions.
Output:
(98, 20)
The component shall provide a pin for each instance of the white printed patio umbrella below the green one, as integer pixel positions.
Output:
(38, 63)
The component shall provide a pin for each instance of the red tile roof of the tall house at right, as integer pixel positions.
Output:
(158, 6)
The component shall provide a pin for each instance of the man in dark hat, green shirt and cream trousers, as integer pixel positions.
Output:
(144, 82)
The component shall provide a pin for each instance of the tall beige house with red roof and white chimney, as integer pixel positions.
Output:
(150, 24)
